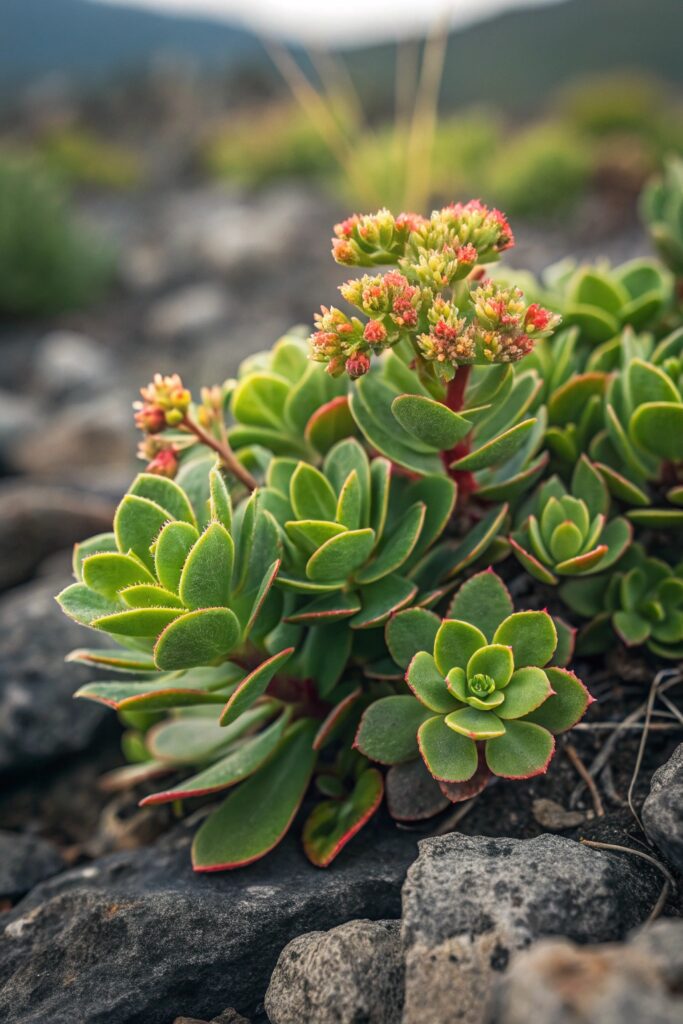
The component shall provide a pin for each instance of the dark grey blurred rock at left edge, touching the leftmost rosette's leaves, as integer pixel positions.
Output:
(39, 719)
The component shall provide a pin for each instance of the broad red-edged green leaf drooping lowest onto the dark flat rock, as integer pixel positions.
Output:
(260, 813)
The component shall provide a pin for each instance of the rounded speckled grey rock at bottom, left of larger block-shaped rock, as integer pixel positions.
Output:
(352, 974)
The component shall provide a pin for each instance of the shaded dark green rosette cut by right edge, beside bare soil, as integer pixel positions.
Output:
(642, 603)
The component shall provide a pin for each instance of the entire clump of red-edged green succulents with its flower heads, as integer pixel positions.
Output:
(279, 583)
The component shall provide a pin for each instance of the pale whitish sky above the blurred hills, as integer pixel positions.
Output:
(341, 21)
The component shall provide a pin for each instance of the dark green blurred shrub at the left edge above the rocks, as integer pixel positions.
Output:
(48, 263)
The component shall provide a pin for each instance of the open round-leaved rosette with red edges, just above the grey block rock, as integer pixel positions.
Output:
(477, 679)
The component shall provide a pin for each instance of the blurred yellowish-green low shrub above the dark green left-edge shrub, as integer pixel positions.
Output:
(82, 158)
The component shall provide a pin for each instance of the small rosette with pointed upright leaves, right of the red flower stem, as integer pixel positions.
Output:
(568, 533)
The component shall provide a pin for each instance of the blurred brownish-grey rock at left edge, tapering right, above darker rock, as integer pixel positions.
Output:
(38, 521)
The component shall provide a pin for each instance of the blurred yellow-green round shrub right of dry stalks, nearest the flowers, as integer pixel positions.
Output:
(542, 170)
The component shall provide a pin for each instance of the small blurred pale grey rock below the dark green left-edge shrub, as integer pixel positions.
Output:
(67, 363)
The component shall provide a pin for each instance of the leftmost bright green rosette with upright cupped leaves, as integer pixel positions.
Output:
(187, 598)
